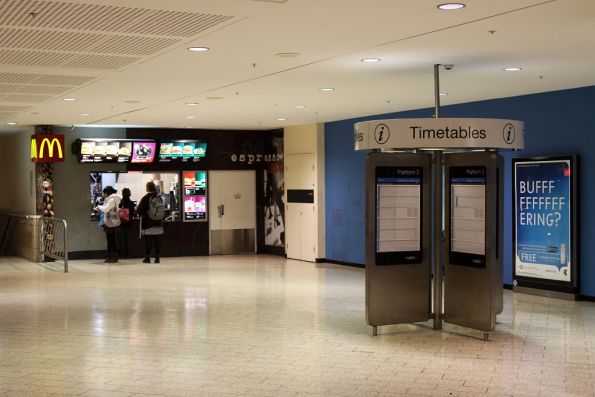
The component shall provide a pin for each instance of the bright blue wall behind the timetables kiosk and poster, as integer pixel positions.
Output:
(556, 123)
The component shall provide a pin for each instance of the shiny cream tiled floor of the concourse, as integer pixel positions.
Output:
(265, 326)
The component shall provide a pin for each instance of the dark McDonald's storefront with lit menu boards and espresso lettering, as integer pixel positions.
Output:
(182, 163)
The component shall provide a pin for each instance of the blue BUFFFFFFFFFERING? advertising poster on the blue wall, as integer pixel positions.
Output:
(544, 219)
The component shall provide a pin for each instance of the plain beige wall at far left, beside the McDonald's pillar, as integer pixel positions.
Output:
(18, 173)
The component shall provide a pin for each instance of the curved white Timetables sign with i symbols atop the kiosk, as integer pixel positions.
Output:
(439, 133)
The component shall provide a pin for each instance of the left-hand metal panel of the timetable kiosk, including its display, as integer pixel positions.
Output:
(398, 237)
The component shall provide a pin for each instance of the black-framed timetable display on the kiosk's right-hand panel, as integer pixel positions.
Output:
(467, 213)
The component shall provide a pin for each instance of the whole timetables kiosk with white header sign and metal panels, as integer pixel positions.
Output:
(434, 219)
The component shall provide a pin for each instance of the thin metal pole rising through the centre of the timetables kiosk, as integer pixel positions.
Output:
(437, 204)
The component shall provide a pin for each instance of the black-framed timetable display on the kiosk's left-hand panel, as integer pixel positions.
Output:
(398, 213)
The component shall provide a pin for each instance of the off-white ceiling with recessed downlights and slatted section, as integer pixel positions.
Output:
(126, 61)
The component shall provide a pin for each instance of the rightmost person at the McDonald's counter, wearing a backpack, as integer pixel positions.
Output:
(151, 209)
